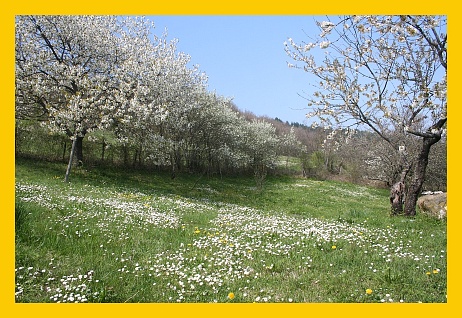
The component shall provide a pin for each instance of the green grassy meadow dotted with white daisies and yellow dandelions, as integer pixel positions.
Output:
(136, 236)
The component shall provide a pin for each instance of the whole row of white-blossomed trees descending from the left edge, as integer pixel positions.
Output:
(111, 78)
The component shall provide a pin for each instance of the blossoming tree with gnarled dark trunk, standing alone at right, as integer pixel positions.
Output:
(384, 73)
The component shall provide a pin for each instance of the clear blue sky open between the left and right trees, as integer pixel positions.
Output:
(244, 58)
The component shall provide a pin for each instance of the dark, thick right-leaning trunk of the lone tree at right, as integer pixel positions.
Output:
(418, 178)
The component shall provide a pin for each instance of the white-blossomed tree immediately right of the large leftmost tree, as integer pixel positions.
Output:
(163, 91)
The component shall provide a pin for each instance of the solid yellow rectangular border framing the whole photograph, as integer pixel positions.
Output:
(209, 7)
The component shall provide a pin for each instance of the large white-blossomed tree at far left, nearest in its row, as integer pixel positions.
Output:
(66, 72)
